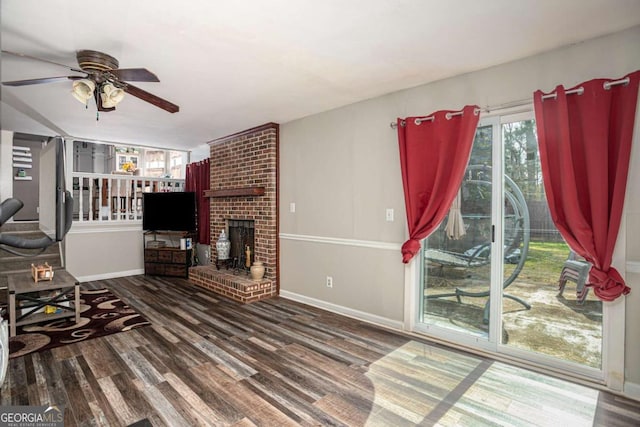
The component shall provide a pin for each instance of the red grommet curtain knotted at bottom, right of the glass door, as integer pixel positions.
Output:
(585, 145)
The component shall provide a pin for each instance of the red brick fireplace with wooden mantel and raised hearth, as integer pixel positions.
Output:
(244, 184)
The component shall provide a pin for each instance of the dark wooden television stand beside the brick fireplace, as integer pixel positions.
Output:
(166, 258)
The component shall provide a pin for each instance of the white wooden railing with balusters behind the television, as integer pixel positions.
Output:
(114, 197)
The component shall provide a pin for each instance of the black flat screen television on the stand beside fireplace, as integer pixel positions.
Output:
(173, 211)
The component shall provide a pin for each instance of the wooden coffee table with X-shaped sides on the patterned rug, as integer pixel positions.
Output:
(64, 294)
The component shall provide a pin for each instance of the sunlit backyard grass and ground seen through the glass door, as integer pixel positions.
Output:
(556, 325)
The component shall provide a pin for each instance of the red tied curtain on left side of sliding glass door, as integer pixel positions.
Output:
(433, 157)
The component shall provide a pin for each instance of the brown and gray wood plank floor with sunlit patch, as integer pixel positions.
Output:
(210, 361)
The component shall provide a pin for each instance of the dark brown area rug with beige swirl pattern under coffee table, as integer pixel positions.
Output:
(101, 313)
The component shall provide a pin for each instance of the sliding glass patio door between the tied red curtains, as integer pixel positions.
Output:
(496, 274)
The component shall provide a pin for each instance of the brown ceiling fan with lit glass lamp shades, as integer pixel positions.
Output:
(102, 80)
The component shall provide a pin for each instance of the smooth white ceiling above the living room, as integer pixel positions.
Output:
(233, 65)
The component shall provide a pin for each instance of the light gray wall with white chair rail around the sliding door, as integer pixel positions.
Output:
(341, 169)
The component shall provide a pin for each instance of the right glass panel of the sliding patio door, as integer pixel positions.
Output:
(537, 316)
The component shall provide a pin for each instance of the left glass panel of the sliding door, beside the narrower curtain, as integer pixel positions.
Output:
(457, 256)
